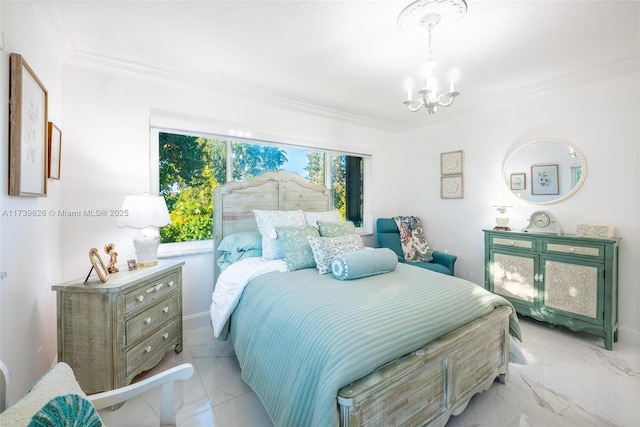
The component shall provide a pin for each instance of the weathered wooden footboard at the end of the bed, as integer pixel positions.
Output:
(429, 385)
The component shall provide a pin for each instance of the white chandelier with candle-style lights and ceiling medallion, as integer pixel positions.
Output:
(424, 15)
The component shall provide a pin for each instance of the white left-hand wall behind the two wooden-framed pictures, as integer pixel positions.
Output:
(29, 246)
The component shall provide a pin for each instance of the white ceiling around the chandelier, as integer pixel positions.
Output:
(349, 56)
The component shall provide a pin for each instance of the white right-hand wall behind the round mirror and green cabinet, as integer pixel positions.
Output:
(599, 117)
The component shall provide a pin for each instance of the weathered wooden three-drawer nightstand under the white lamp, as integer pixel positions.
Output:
(110, 332)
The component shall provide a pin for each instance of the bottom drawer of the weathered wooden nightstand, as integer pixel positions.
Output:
(157, 344)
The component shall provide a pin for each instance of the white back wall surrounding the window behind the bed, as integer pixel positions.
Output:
(106, 152)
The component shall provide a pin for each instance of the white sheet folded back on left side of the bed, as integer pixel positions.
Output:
(232, 282)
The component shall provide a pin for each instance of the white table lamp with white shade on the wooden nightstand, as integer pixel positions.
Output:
(146, 213)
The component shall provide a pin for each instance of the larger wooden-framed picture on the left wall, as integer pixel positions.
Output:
(27, 131)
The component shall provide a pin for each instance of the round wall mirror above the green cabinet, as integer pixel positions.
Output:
(545, 171)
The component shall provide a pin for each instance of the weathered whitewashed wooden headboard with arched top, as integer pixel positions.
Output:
(233, 203)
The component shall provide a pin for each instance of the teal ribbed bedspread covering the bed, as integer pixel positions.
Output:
(300, 336)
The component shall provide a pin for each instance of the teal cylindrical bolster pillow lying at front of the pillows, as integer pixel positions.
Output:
(357, 264)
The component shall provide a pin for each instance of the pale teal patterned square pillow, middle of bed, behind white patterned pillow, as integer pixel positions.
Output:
(295, 247)
